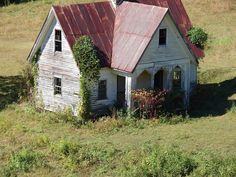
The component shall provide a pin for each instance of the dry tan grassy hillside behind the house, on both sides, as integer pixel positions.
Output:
(21, 23)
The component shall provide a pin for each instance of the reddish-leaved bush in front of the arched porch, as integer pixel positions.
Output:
(147, 103)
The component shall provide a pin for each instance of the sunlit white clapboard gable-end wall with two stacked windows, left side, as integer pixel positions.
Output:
(58, 64)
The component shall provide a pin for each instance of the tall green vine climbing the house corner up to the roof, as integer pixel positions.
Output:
(88, 62)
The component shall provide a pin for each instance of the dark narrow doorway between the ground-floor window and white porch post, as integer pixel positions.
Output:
(120, 91)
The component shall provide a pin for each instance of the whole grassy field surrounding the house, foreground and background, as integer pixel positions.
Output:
(111, 147)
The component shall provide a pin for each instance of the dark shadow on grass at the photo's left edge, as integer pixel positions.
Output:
(9, 90)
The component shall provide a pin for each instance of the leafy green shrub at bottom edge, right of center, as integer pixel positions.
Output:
(166, 163)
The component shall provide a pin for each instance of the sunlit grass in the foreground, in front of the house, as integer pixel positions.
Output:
(118, 141)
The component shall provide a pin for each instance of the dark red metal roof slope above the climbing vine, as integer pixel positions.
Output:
(94, 19)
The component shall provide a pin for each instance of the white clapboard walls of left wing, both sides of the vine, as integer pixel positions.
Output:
(62, 64)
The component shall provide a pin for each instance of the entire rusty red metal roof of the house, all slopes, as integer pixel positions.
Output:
(122, 34)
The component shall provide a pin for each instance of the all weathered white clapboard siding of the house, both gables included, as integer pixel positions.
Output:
(62, 64)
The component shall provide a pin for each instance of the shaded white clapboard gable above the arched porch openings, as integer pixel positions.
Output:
(176, 52)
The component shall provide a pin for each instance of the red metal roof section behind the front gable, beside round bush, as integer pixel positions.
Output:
(180, 17)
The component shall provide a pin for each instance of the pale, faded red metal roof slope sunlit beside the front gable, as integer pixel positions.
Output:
(133, 33)
